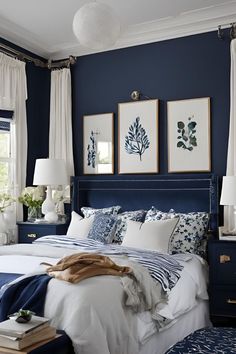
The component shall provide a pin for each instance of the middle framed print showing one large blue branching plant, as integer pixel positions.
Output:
(138, 137)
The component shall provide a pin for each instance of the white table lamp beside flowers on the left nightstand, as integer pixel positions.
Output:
(49, 172)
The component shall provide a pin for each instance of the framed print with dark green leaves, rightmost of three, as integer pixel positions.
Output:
(189, 140)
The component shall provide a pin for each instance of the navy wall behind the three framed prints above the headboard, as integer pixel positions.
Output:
(194, 66)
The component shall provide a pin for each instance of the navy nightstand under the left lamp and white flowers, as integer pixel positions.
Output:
(28, 232)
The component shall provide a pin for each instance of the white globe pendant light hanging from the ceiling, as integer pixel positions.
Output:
(96, 26)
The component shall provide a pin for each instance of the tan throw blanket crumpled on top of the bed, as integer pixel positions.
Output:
(80, 266)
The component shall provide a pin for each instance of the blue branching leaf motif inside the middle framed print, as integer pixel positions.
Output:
(136, 142)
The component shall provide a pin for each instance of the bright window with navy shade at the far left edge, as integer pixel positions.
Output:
(6, 168)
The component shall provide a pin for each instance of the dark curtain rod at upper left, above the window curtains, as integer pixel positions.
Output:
(37, 62)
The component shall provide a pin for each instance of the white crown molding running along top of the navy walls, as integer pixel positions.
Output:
(187, 23)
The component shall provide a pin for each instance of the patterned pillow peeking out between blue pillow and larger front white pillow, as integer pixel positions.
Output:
(135, 215)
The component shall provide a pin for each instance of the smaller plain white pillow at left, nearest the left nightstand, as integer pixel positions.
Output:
(79, 227)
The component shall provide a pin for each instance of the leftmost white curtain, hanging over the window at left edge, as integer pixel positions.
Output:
(13, 96)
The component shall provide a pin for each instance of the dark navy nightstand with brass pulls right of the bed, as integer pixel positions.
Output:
(222, 288)
